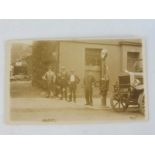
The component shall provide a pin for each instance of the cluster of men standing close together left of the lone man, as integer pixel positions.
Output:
(59, 85)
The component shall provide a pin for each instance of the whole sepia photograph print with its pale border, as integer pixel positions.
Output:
(76, 81)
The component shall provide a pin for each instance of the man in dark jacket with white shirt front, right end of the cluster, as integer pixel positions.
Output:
(73, 81)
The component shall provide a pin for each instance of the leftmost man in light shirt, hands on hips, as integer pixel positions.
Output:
(50, 78)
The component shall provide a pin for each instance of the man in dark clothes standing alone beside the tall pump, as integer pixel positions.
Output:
(89, 80)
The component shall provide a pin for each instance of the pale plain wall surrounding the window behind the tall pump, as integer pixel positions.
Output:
(76, 53)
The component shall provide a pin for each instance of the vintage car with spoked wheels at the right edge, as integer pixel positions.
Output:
(129, 90)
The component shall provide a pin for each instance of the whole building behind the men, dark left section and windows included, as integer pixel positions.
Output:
(82, 55)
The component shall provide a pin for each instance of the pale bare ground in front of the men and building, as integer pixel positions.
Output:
(30, 105)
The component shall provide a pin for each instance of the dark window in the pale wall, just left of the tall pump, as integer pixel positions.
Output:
(92, 57)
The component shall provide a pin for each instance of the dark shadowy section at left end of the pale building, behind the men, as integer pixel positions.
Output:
(44, 53)
